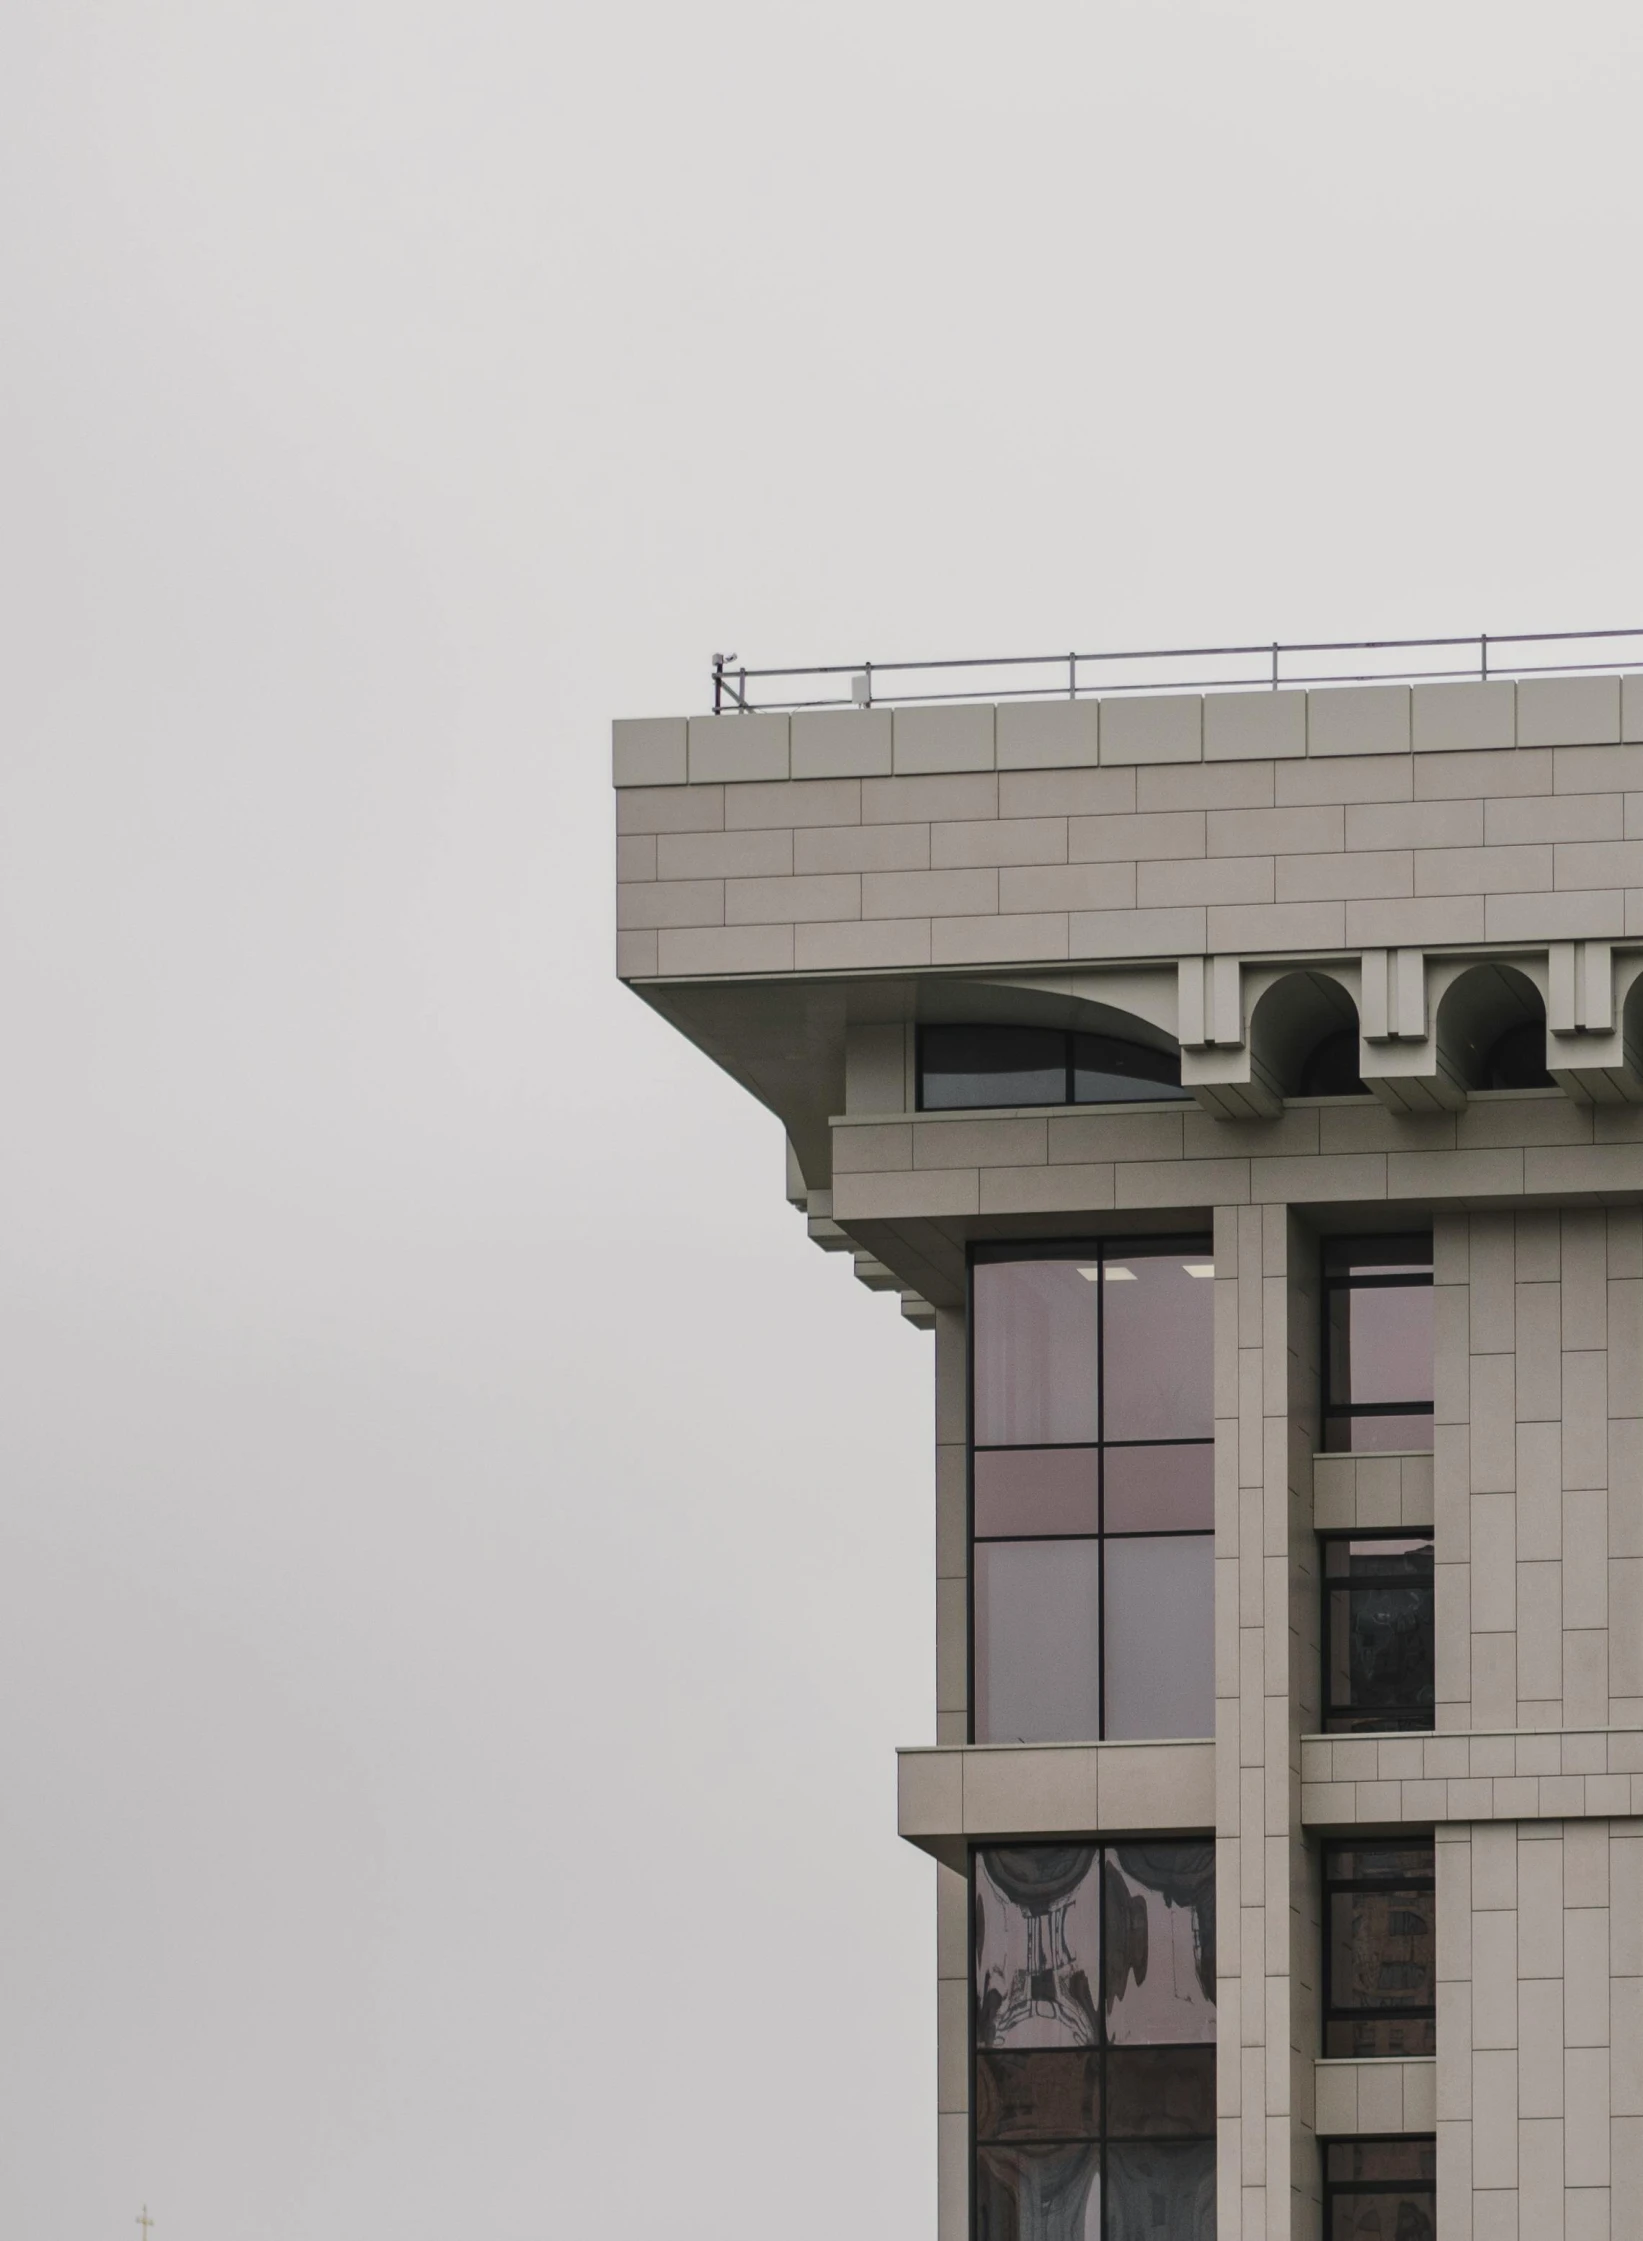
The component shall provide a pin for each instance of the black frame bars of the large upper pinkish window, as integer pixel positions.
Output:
(1077, 1249)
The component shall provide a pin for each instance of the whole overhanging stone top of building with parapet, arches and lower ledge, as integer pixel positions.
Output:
(1223, 875)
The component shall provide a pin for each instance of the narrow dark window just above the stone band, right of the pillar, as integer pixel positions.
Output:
(1377, 1633)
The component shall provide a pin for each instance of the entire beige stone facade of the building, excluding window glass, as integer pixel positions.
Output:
(1232, 875)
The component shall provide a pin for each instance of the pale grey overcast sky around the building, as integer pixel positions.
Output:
(467, 1561)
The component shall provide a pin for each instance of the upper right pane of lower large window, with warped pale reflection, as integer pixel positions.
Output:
(1160, 1937)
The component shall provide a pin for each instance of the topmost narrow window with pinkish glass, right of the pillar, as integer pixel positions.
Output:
(1377, 1343)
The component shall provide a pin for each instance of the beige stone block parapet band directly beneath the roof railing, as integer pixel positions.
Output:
(1133, 828)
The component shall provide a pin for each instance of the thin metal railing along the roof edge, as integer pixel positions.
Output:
(1173, 669)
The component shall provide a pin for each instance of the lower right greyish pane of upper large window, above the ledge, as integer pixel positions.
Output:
(1160, 1637)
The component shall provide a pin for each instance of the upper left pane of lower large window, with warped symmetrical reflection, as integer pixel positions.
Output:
(1037, 1946)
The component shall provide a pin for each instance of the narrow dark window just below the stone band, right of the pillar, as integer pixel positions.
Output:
(1380, 1978)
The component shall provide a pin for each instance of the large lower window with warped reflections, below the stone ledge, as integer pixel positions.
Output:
(1095, 2043)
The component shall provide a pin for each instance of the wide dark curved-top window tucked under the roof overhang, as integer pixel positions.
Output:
(1039, 1066)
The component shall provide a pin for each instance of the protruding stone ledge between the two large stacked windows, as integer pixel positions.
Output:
(981, 1794)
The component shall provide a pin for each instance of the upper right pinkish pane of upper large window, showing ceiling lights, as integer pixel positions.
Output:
(1160, 1339)
